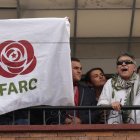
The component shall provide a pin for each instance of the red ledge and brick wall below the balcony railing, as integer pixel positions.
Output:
(45, 133)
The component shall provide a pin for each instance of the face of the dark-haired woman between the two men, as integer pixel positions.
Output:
(98, 79)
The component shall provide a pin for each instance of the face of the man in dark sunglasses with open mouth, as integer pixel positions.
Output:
(125, 67)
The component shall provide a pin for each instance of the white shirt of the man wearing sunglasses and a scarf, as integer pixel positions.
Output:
(106, 98)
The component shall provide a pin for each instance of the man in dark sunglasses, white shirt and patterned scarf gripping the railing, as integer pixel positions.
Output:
(122, 90)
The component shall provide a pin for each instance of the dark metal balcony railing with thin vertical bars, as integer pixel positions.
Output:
(46, 115)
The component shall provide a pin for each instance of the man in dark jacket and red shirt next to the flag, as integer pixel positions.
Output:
(83, 96)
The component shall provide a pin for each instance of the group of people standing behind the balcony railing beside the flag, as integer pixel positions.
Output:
(122, 89)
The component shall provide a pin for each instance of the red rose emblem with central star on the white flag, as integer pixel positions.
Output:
(16, 58)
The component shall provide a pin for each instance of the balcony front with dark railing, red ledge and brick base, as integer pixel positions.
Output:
(69, 132)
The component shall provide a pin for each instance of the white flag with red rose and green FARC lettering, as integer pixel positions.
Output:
(35, 66)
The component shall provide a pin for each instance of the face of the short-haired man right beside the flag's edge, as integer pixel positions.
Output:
(76, 71)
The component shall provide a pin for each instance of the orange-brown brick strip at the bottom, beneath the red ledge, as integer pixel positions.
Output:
(125, 135)
